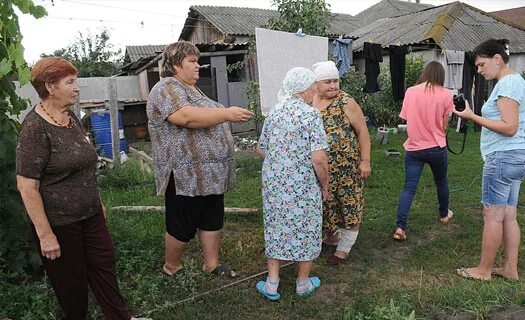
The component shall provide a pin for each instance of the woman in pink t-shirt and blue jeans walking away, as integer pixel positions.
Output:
(426, 109)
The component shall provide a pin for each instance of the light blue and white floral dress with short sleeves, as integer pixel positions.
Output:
(292, 202)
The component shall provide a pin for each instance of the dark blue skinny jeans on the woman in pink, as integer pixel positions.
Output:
(437, 159)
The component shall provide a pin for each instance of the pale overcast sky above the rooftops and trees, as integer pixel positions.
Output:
(142, 22)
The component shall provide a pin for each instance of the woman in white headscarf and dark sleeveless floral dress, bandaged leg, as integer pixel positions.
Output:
(348, 161)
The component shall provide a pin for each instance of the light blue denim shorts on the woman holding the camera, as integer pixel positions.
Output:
(502, 175)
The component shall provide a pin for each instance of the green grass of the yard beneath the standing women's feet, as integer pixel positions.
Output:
(382, 279)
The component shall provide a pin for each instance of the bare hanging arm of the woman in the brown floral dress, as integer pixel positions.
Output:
(357, 119)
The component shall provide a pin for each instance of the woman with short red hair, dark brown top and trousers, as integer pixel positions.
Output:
(55, 166)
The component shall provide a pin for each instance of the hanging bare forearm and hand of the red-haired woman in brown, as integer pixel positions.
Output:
(29, 189)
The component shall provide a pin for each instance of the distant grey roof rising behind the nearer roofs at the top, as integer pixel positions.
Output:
(389, 9)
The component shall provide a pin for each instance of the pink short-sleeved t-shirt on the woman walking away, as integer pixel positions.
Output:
(424, 110)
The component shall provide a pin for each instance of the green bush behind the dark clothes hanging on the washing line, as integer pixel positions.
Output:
(381, 107)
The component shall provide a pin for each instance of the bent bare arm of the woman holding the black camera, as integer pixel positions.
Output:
(507, 125)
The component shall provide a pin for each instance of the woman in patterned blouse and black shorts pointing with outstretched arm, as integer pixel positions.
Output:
(193, 157)
